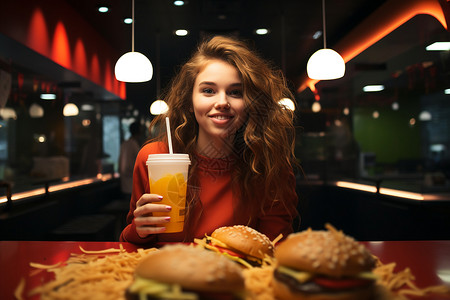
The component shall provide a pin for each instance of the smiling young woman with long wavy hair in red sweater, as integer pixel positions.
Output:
(224, 112)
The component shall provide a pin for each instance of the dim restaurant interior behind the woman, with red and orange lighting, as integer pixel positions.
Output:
(374, 163)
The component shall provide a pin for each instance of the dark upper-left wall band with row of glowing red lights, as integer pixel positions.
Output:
(60, 34)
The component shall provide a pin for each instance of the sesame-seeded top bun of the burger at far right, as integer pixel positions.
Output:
(330, 253)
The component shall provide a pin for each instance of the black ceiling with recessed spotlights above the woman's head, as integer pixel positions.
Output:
(289, 44)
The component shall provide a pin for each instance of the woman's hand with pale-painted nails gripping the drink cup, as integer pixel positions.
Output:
(143, 215)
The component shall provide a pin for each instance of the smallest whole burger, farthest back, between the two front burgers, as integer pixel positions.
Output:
(241, 244)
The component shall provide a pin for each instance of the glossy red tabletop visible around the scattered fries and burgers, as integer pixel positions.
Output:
(429, 261)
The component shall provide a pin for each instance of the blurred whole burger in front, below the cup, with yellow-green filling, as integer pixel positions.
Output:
(186, 272)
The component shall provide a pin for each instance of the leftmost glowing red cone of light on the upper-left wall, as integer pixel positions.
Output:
(37, 33)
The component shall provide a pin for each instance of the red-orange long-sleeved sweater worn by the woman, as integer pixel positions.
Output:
(217, 203)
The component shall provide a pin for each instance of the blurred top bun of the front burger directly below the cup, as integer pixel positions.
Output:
(193, 268)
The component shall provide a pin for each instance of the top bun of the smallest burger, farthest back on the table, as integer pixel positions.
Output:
(245, 240)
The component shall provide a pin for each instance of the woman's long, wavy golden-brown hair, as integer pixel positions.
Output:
(263, 146)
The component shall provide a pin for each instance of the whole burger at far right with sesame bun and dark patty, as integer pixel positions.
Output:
(323, 265)
